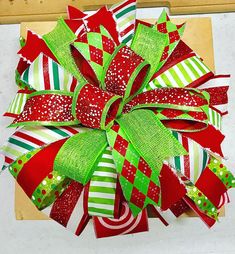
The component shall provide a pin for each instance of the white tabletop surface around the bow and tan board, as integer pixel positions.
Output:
(184, 236)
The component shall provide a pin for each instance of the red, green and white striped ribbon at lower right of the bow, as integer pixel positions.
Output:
(194, 163)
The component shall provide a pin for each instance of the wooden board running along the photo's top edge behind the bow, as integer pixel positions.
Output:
(16, 11)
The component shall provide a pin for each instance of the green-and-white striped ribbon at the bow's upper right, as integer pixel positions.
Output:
(180, 75)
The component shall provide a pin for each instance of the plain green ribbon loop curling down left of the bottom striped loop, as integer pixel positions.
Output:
(80, 154)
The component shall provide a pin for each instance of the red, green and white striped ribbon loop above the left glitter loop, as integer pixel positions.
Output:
(46, 74)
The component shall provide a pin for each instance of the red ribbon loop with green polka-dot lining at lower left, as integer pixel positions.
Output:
(34, 173)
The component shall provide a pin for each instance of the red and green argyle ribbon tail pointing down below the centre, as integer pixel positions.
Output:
(139, 183)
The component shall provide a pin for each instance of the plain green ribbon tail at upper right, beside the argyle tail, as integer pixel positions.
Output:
(156, 42)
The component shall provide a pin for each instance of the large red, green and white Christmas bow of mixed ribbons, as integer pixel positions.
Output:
(127, 99)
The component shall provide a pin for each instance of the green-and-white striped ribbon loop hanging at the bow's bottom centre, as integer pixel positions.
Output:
(102, 190)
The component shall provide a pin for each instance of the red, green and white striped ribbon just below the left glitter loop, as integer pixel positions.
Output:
(30, 138)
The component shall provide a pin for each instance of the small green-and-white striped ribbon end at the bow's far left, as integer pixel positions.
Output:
(17, 105)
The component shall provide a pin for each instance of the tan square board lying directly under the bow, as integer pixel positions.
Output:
(198, 35)
